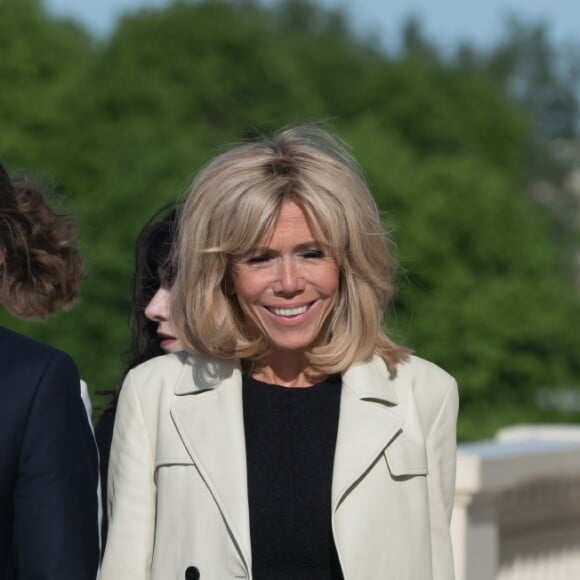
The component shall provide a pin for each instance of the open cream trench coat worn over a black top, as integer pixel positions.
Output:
(177, 475)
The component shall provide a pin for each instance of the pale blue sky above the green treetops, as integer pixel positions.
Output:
(445, 21)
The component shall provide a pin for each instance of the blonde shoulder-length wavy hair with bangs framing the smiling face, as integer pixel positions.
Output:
(234, 202)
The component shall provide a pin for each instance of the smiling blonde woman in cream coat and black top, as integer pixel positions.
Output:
(295, 440)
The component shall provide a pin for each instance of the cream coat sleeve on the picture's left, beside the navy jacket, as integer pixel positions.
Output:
(131, 493)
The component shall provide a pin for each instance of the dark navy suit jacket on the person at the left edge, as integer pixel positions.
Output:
(48, 467)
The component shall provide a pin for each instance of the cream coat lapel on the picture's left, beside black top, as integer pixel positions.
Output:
(209, 418)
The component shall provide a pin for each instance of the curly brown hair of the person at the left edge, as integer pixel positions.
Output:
(40, 267)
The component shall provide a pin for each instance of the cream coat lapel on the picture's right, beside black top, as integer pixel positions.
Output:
(367, 424)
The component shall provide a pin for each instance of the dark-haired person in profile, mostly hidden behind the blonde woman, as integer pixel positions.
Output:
(152, 331)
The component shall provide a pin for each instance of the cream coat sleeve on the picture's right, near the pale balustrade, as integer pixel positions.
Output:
(441, 453)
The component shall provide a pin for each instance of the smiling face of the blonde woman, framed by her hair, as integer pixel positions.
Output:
(287, 286)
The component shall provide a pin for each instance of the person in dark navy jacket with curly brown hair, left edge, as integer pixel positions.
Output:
(48, 457)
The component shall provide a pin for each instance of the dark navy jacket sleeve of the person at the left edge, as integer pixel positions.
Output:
(55, 496)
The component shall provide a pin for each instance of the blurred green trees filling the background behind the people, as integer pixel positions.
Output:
(471, 154)
